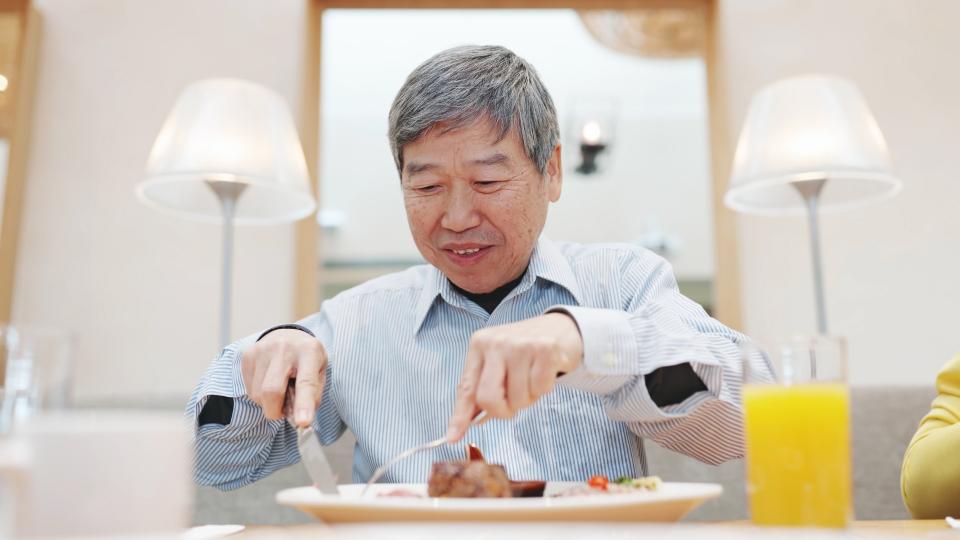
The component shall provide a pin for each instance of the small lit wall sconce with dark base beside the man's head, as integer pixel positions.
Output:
(592, 127)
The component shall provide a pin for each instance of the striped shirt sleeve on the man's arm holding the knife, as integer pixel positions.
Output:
(251, 447)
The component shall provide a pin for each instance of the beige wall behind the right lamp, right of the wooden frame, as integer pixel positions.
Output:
(892, 279)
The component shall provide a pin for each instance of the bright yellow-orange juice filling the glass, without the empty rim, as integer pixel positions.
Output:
(798, 454)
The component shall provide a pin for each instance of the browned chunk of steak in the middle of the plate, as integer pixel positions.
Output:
(468, 479)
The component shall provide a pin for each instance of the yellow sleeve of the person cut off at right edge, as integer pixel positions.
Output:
(930, 477)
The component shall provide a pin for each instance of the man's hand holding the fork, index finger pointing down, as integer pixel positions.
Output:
(510, 366)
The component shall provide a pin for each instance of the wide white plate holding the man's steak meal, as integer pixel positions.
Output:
(670, 502)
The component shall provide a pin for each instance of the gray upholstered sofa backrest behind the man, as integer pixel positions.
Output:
(884, 419)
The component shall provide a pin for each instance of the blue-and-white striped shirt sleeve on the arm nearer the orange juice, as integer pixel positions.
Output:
(659, 327)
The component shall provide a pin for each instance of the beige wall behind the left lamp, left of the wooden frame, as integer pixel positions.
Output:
(140, 289)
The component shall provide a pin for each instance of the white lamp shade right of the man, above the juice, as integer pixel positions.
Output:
(807, 128)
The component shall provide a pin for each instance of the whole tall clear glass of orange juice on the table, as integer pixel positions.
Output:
(798, 433)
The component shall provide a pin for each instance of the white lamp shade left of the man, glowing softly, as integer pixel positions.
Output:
(229, 130)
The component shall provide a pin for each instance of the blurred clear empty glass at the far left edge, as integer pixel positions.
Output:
(39, 371)
